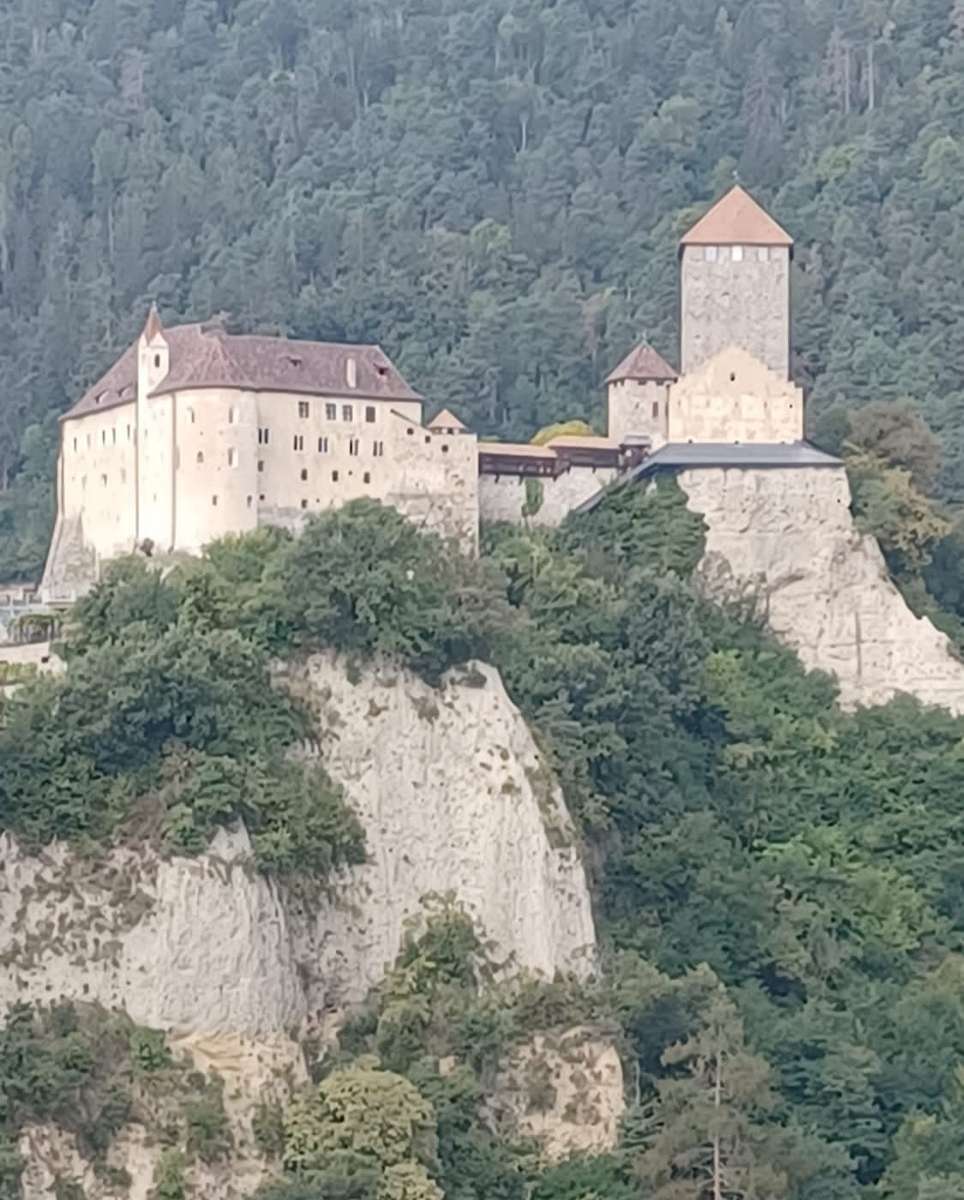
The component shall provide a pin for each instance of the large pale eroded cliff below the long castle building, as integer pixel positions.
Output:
(238, 969)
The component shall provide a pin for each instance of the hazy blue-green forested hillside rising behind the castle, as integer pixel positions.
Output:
(493, 190)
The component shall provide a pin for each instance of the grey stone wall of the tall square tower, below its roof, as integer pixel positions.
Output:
(735, 303)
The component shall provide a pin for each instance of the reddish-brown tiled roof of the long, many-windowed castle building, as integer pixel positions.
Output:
(203, 357)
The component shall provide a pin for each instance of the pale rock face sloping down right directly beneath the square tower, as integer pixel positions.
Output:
(787, 539)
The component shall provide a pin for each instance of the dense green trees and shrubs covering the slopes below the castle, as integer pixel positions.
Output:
(777, 885)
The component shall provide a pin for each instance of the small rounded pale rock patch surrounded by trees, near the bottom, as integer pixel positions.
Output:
(566, 1091)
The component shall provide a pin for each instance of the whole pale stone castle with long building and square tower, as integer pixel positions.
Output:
(196, 434)
